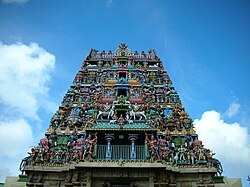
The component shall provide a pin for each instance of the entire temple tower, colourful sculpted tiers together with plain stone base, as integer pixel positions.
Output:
(121, 124)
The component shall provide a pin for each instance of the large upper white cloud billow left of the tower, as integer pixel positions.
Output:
(24, 77)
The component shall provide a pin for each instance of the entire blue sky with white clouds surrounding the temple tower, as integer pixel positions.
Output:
(205, 47)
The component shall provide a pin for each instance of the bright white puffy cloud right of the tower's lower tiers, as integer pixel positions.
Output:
(230, 142)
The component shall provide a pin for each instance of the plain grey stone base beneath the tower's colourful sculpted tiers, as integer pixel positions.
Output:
(113, 174)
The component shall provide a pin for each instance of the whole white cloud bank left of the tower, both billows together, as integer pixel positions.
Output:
(24, 79)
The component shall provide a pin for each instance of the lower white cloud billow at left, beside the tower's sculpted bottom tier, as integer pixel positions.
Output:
(16, 138)
